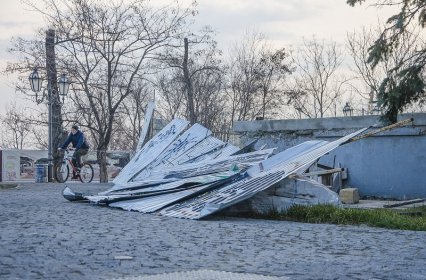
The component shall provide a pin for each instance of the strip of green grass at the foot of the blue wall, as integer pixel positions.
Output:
(384, 218)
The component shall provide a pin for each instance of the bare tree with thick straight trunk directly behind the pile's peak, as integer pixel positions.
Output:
(196, 71)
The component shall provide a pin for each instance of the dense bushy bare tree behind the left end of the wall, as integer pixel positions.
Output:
(256, 76)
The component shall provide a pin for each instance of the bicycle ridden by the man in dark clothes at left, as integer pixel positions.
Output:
(62, 169)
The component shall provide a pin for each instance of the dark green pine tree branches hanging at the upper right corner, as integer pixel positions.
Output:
(405, 84)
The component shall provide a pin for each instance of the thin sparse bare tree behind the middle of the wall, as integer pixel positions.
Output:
(316, 88)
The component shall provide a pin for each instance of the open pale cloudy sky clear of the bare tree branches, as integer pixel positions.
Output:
(284, 22)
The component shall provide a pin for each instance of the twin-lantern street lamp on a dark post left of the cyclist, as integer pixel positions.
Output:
(35, 83)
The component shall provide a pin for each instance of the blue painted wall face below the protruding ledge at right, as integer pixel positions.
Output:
(387, 167)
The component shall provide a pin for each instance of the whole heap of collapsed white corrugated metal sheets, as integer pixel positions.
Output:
(188, 173)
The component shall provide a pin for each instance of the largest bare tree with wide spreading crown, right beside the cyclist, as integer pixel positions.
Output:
(107, 49)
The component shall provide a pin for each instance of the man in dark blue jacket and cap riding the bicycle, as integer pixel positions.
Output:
(78, 141)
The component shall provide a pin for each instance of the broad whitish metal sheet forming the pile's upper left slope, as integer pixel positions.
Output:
(151, 150)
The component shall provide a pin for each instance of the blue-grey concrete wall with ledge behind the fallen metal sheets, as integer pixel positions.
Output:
(389, 165)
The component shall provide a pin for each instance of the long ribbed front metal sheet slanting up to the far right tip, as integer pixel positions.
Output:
(218, 199)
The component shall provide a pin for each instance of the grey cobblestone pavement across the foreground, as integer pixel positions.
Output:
(43, 236)
